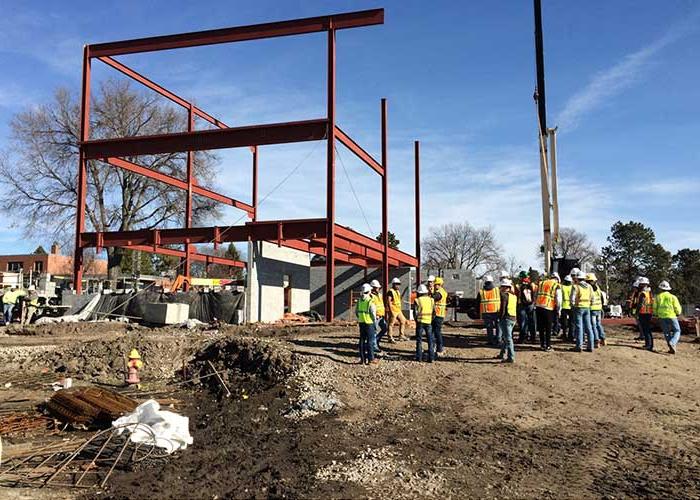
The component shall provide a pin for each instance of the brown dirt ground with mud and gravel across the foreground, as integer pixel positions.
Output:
(305, 420)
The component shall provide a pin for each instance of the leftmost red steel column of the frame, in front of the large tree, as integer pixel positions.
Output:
(82, 176)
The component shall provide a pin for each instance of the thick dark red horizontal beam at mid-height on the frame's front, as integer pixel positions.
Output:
(275, 133)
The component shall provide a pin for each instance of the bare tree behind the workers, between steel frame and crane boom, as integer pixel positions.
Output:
(461, 246)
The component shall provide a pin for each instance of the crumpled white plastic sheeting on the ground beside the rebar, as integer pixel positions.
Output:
(164, 429)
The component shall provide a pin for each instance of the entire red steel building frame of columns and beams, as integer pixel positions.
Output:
(322, 236)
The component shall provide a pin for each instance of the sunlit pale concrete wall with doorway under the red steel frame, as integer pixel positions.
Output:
(268, 265)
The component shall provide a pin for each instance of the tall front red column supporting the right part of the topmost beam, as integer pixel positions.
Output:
(330, 182)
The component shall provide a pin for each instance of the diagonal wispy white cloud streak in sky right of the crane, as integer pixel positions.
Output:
(624, 74)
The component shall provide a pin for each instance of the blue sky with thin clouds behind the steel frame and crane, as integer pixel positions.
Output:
(622, 85)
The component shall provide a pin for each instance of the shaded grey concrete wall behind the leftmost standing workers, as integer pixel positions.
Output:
(347, 279)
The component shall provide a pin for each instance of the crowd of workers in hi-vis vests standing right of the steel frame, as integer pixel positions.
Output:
(572, 310)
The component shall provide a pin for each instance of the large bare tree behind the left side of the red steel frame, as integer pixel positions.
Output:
(40, 171)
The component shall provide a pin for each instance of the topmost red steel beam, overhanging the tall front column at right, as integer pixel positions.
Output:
(240, 33)
